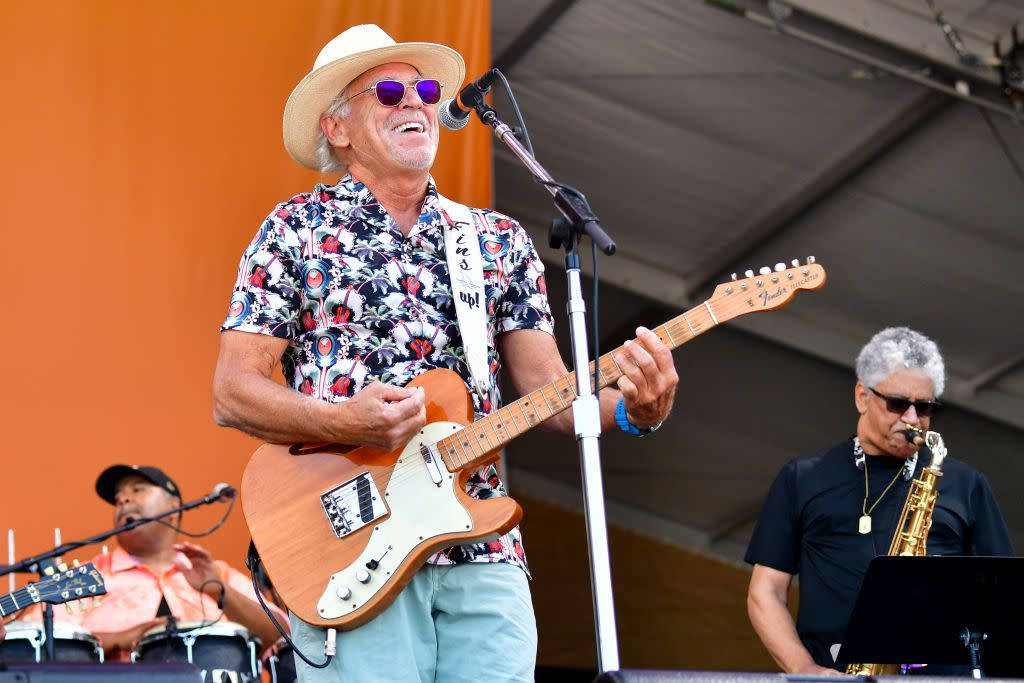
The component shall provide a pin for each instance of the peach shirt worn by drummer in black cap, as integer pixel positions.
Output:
(134, 594)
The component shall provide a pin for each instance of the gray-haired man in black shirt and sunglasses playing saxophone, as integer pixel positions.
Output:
(829, 515)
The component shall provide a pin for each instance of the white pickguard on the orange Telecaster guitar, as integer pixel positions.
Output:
(420, 510)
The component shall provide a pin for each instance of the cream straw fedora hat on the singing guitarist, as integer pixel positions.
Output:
(349, 55)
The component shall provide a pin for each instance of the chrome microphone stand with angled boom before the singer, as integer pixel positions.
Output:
(579, 220)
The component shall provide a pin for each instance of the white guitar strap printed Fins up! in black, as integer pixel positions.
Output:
(462, 247)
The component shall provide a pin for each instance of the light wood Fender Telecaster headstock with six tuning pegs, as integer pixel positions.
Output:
(770, 289)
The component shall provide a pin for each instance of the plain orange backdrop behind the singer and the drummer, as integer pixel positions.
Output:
(142, 150)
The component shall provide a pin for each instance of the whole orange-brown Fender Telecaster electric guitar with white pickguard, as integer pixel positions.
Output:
(342, 530)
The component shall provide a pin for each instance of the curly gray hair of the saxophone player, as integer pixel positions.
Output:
(898, 349)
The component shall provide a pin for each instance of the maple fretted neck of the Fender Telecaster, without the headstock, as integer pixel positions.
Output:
(473, 446)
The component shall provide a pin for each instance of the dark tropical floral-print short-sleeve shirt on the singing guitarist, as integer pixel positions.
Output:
(360, 303)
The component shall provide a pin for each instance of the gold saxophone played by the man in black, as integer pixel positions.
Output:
(912, 532)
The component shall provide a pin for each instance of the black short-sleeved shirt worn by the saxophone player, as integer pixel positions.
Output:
(809, 527)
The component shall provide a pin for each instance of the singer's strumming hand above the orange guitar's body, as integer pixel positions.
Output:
(381, 416)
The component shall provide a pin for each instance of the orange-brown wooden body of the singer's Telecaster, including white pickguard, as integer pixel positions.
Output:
(343, 531)
